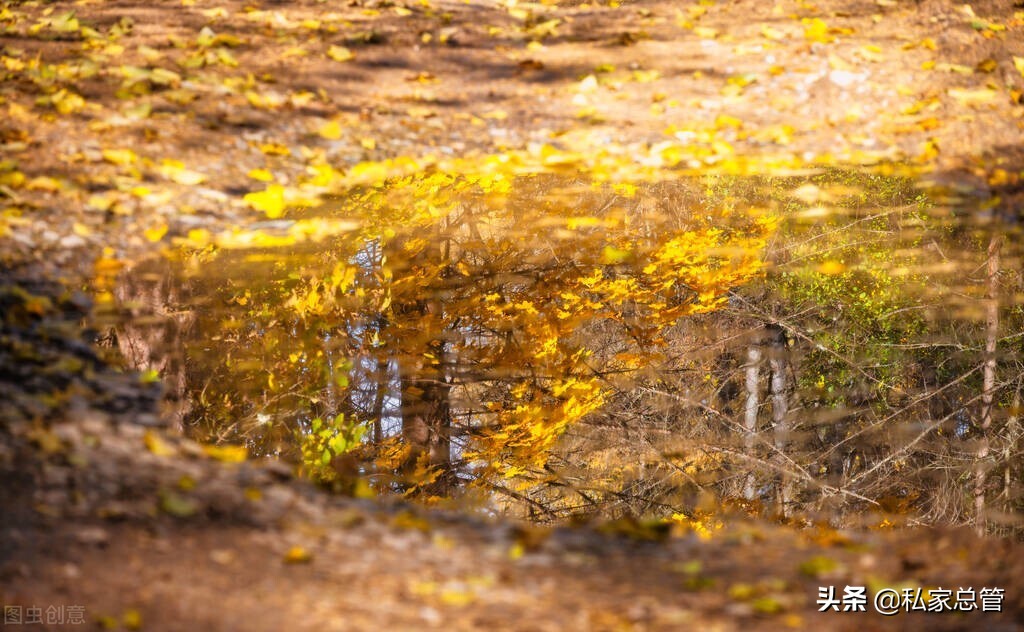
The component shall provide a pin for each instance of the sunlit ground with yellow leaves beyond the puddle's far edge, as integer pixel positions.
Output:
(212, 100)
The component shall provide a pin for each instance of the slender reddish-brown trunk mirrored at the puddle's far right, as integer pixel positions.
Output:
(989, 384)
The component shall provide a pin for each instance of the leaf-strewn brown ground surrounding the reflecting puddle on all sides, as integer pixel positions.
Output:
(129, 125)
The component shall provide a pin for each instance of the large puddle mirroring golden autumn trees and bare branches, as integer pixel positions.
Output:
(812, 346)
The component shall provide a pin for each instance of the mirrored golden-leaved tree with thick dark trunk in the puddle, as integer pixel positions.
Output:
(483, 317)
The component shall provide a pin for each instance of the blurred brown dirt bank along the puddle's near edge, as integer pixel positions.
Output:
(182, 541)
